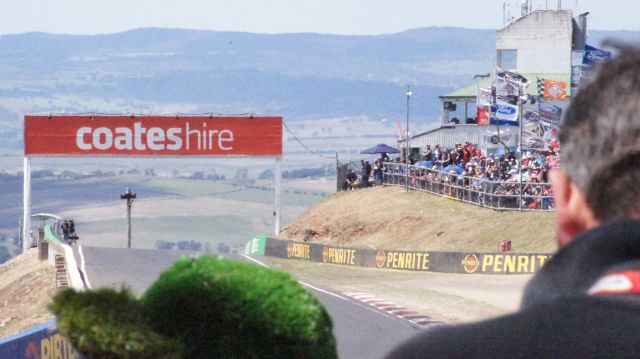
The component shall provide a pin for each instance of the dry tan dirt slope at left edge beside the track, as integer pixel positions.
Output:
(26, 287)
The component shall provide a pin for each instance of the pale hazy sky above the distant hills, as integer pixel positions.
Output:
(283, 16)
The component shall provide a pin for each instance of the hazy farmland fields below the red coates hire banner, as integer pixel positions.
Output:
(167, 209)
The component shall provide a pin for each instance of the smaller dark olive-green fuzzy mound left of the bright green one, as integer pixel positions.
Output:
(109, 324)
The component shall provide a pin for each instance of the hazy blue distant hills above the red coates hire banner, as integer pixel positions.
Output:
(300, 76)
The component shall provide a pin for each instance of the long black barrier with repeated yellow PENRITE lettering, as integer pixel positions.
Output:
(446, 262)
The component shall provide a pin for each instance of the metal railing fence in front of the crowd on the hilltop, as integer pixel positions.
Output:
(498, 195)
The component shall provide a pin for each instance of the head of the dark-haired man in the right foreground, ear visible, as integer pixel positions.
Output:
(600, 139)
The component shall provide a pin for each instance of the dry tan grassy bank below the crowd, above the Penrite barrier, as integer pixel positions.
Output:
(388, 218)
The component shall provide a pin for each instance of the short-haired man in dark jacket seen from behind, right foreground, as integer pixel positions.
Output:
(585, 301)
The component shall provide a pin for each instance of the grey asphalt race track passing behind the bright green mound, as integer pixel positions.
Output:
(361, 331)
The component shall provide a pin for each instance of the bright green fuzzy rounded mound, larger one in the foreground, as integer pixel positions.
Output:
(229, 309)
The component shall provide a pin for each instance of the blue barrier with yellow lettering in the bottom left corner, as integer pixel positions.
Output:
(41, 342)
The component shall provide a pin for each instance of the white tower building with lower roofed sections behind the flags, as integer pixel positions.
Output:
(541, 45)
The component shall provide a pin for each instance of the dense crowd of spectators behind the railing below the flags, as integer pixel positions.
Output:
(467, 173)
